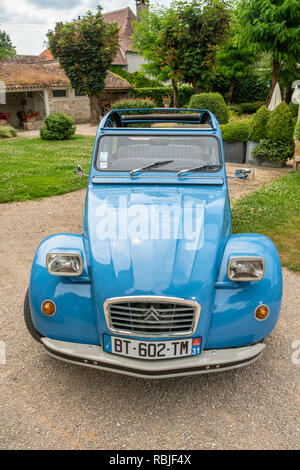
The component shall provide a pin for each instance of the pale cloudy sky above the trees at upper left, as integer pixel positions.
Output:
(27, 21)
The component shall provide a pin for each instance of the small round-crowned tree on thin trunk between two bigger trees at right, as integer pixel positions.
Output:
(234, 61)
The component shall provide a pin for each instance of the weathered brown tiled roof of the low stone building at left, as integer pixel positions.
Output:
(28, 76)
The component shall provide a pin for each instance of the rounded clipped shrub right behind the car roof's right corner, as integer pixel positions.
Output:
(214, 102)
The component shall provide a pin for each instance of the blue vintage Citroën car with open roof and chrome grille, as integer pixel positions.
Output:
(156, 285)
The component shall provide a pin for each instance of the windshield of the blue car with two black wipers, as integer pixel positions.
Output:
(158, 153)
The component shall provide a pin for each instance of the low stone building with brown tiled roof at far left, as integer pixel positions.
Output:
(44, 87)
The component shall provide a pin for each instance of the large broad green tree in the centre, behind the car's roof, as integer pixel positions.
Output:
(179, 42)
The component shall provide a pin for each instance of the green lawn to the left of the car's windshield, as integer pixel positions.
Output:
(32, 168)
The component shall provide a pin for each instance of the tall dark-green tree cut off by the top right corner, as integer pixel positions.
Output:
(271, 26)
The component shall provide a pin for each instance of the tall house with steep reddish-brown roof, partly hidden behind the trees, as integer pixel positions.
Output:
(126, 57)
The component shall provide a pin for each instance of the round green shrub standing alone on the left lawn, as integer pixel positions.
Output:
(58, 126)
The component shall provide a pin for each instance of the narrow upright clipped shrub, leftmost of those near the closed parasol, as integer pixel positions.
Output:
(257, 131)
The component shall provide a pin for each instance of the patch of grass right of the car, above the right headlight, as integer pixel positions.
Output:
(274, 210)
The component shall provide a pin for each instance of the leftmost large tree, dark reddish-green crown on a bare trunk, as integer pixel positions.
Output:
(85, 49)
